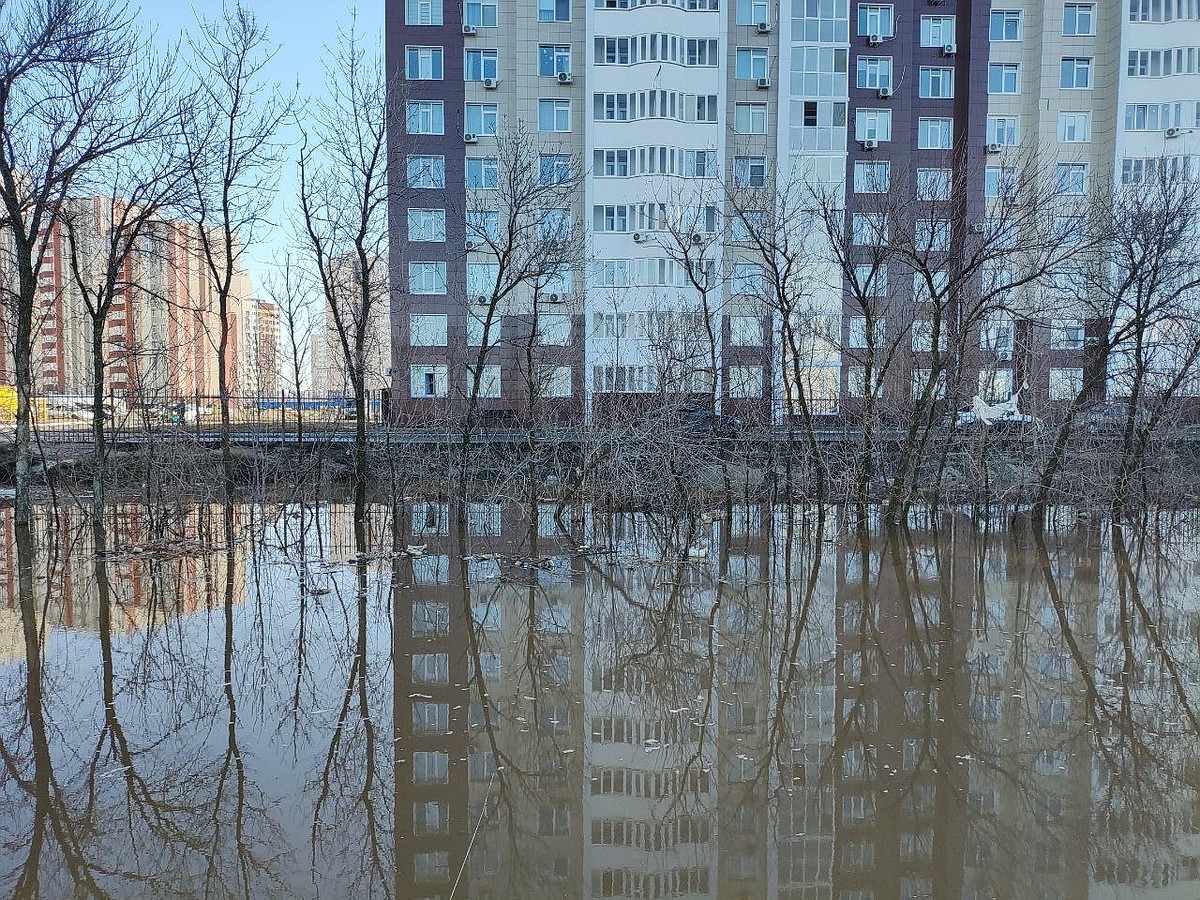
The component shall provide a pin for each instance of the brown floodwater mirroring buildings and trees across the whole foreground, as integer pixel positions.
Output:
(542, 701)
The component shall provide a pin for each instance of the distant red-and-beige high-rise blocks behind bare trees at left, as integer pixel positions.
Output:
(163, 334)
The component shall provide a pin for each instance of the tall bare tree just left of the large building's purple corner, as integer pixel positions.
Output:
(344, 199)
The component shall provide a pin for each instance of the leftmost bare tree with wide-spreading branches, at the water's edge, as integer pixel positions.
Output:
(75, 88)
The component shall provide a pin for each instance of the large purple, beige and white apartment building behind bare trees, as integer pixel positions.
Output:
(676, 112)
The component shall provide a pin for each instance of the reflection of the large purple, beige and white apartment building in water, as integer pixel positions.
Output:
(656, 727)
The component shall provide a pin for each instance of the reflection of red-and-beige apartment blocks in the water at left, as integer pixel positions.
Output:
(173, 573)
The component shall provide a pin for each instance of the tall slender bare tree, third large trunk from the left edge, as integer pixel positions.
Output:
(229, 128)
